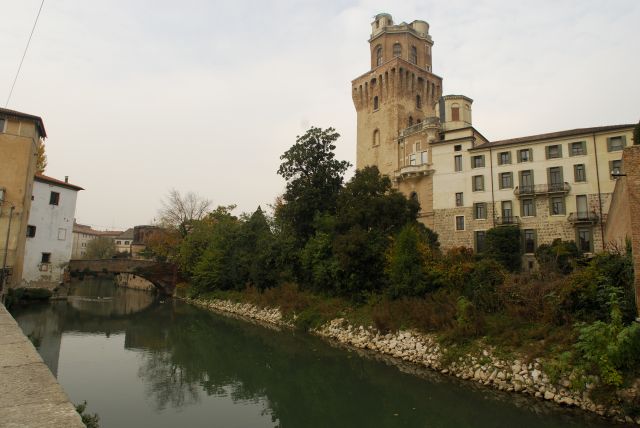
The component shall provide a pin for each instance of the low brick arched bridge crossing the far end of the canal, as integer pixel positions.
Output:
(162, 275)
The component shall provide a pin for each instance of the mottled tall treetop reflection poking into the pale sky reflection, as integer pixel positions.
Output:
(167, 382)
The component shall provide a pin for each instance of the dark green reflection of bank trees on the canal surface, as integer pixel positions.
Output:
(303, 382)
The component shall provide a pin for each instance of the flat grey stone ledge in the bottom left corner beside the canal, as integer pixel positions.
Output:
(30, 396)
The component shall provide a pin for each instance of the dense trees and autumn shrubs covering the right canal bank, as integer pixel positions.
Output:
(356, 250)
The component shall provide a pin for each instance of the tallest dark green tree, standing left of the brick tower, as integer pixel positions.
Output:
(314, 178)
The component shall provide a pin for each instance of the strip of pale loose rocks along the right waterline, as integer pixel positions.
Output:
(424, 350)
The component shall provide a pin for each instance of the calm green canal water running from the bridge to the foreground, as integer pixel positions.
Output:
(141, 362)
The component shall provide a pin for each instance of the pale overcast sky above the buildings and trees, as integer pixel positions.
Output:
(139, 97)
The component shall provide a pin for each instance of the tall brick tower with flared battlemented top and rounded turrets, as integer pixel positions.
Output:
(399, 91)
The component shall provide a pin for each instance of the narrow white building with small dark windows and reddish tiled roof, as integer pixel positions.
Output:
(50, 230)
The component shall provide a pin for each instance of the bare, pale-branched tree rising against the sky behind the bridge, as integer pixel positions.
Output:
(179, 211)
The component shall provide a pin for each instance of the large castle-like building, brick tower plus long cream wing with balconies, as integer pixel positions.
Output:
(553, 185)
